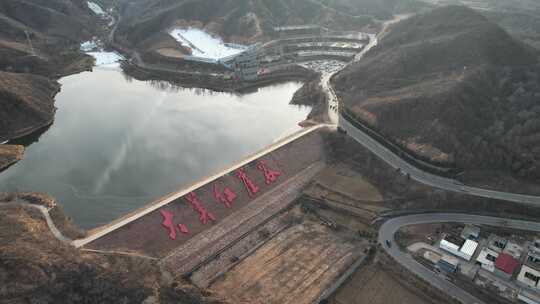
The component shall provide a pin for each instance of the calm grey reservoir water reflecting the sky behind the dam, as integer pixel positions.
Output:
(117, 144)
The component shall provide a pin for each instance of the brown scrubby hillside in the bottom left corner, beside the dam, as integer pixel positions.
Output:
(37, 268)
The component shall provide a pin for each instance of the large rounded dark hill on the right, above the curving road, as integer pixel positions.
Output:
(451, 86)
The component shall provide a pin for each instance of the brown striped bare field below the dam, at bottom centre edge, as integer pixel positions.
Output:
(294, 267)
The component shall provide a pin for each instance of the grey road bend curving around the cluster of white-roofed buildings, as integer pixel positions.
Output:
(390, 227)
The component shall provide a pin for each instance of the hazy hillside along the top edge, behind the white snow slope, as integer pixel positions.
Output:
(234, 20)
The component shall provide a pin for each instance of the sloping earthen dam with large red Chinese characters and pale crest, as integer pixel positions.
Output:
(189, 227)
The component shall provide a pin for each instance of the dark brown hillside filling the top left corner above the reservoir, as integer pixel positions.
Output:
(55, 29)
